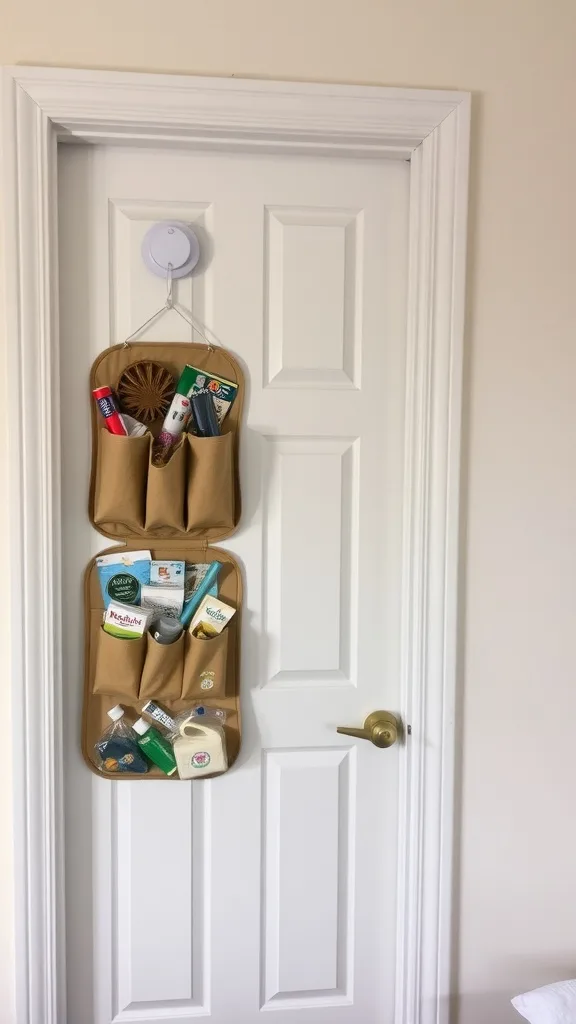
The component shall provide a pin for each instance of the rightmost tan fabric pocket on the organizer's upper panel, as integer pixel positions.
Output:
(211, 486)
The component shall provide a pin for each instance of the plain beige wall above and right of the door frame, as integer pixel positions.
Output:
(518, 918)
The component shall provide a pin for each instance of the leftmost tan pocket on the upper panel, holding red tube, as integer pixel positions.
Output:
(121, 477)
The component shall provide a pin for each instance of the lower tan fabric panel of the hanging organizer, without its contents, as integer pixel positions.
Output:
(177, 676)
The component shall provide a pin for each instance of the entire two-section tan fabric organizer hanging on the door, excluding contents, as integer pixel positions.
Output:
(177, 511)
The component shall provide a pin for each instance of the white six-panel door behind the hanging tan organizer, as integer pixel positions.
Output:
(272, 888)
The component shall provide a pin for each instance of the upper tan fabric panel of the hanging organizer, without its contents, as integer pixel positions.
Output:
(196, 495)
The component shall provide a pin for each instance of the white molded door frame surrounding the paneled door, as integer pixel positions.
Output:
(429, 129)
